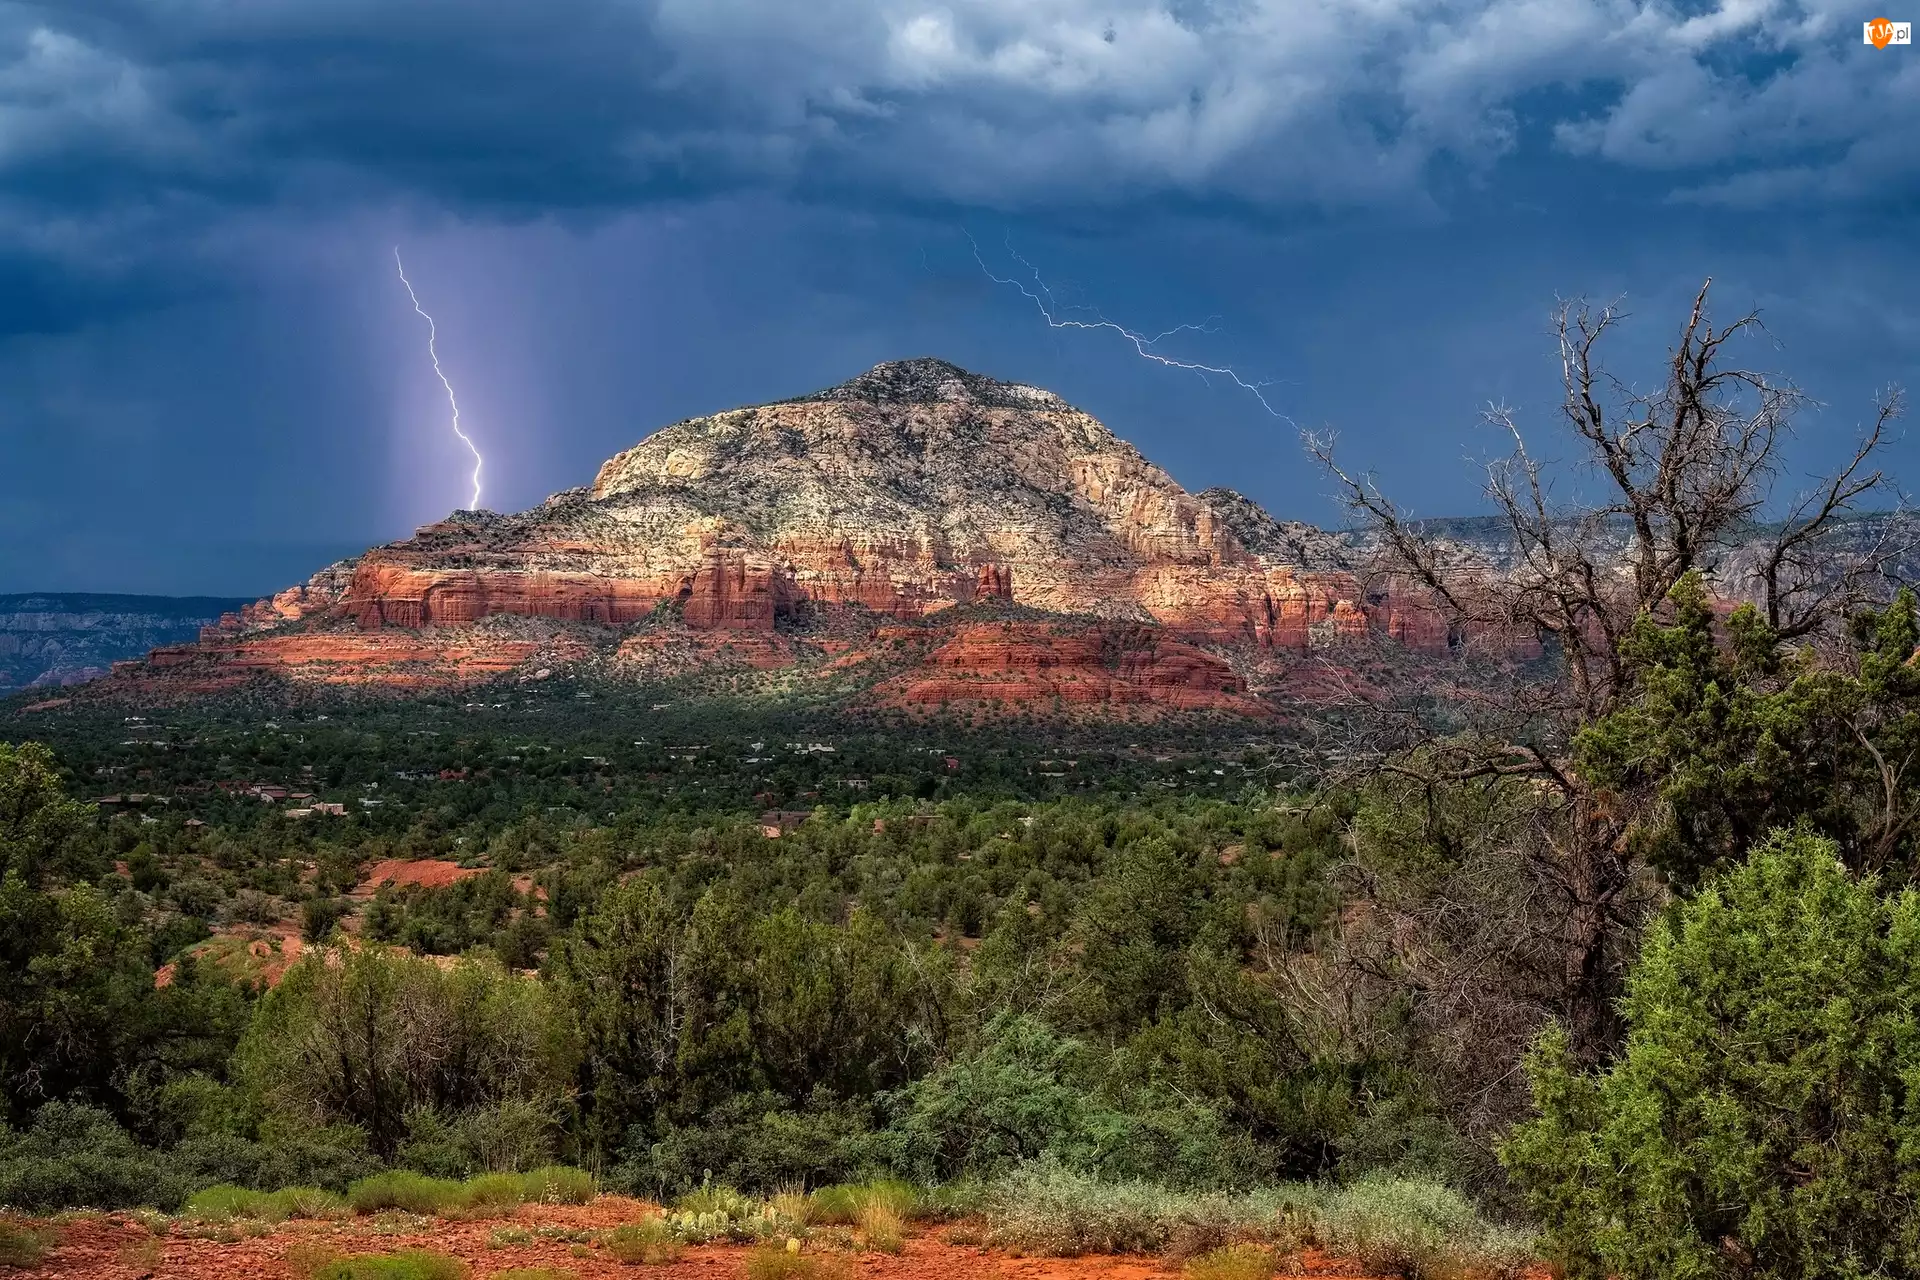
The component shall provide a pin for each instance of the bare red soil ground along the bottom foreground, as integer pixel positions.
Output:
(120, 1248)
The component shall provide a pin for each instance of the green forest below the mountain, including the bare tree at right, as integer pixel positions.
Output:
(1625, 949)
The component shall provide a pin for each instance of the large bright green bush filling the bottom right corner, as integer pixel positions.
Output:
(1764, 1116)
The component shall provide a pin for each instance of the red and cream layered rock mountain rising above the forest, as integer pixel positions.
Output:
(828, 531)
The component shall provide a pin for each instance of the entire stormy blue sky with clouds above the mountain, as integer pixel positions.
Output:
(631, 212)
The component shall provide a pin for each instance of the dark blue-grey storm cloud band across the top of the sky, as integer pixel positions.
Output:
(1009, 105)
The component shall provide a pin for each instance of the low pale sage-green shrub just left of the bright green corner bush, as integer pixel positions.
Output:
(1420, 1231)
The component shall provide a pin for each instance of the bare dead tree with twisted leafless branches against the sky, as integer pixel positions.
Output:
(1689, 479)
